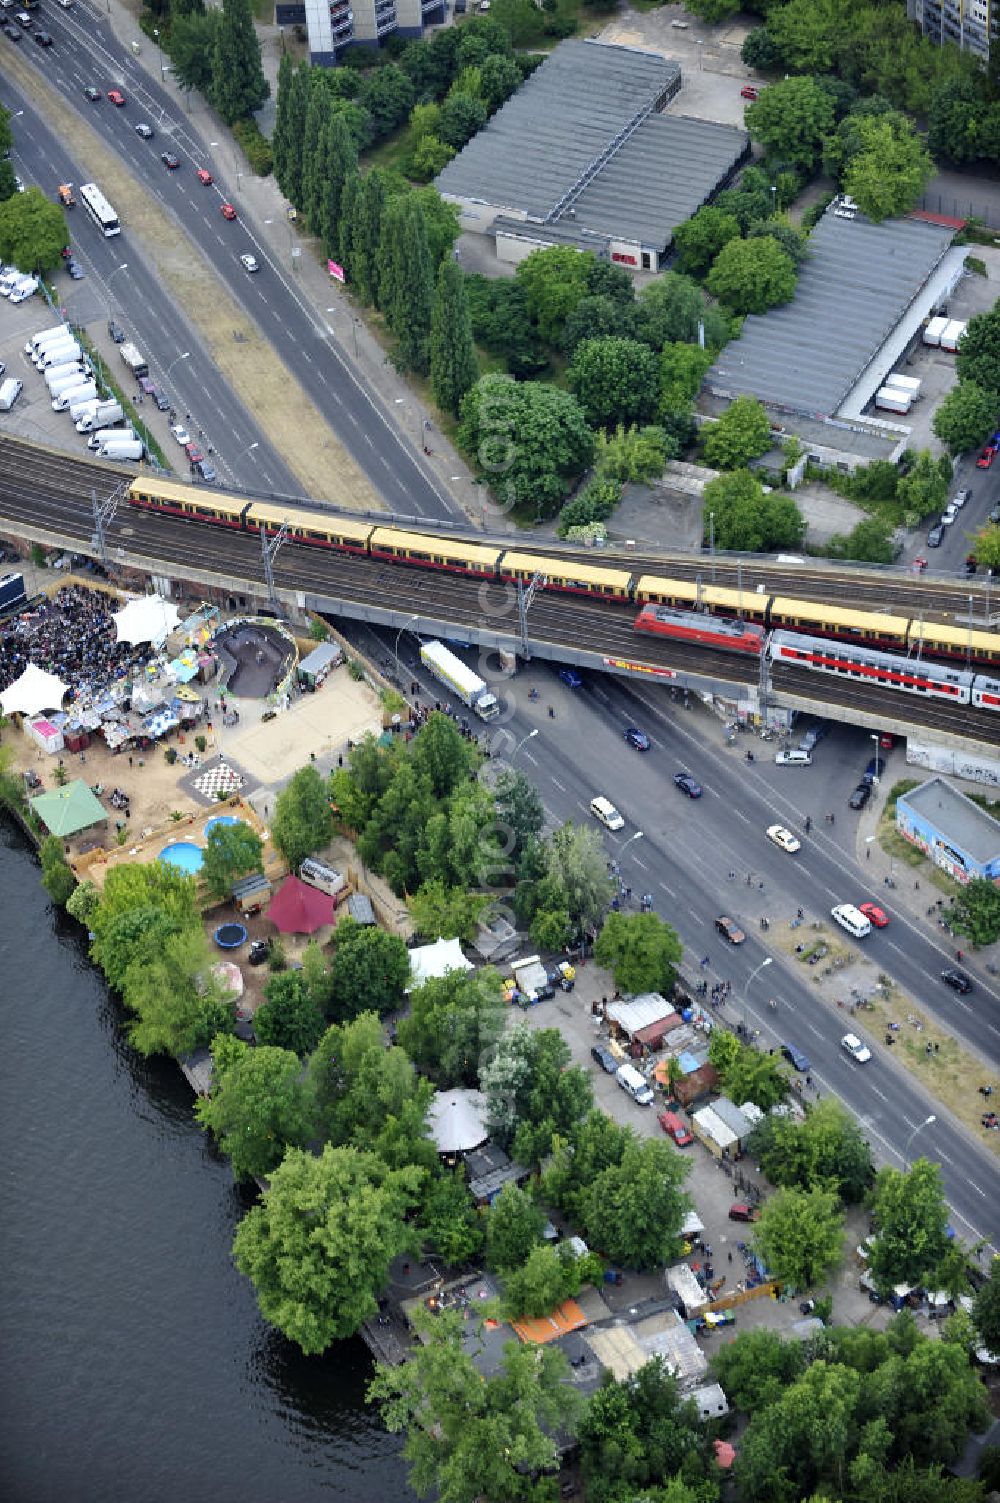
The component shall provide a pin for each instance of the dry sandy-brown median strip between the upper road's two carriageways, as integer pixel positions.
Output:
(244, 358)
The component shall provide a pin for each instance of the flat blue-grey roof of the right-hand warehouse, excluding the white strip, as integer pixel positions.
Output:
(853, 291)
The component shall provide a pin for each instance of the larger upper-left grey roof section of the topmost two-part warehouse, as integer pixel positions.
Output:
(563, 121)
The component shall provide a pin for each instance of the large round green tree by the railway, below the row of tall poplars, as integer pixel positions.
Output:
(530, 440)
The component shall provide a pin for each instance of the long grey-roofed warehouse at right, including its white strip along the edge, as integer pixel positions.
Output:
(865, 292)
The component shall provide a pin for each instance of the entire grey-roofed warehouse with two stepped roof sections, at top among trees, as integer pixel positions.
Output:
(581, 156)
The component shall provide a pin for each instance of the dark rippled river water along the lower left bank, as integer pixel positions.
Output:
(135, 1364)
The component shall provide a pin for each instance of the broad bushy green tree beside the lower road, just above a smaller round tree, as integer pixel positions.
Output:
(825, 1151)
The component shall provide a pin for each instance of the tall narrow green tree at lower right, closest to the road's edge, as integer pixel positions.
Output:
(911, 1215)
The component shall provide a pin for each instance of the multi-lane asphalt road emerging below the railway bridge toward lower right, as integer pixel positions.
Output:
(685, 856)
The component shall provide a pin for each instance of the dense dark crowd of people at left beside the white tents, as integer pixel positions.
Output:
(71, 635)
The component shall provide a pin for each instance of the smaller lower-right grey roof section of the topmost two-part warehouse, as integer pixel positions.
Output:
(659, 178)
